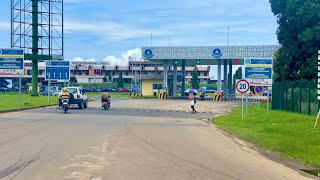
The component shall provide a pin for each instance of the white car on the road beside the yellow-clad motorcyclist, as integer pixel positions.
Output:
(78, 97)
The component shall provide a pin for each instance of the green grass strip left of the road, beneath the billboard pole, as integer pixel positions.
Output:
(10, 102)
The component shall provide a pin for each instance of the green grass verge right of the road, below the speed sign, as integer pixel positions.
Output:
(290, 134)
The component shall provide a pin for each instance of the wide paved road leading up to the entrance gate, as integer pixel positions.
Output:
(135, 139)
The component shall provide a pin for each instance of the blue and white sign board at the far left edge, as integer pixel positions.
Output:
(11, 61)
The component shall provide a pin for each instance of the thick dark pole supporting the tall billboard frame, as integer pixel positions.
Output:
(35, 47)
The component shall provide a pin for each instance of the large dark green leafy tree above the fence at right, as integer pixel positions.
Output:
(298, 33)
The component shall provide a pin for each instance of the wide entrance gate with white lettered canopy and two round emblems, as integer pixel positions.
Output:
(208, 55)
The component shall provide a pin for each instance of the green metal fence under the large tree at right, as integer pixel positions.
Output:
(295, 97)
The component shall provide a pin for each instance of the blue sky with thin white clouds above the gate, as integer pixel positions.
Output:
(107, 29)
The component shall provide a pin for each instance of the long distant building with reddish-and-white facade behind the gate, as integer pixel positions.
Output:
(93, 73)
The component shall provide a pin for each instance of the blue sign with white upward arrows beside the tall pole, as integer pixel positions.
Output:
(58, 70)
